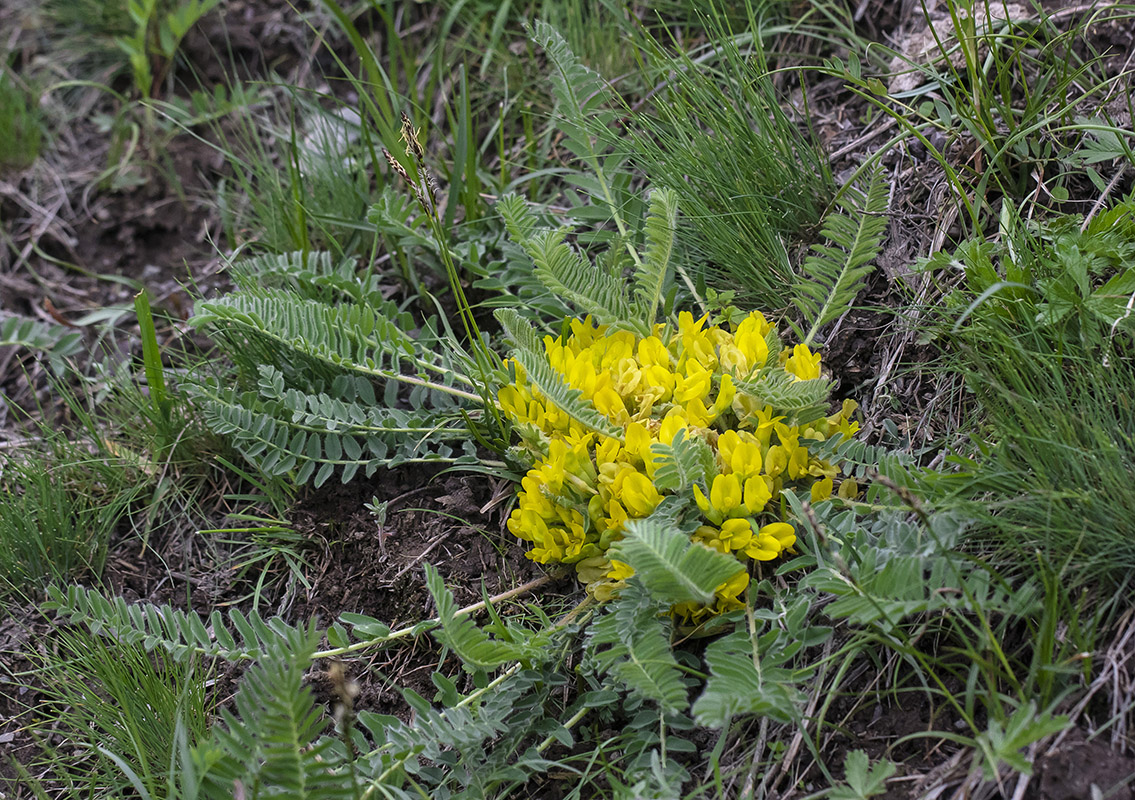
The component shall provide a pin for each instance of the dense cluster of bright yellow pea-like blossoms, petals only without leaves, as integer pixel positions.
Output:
(659, 390)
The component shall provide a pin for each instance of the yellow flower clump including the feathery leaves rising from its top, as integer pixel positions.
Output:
(694, 422)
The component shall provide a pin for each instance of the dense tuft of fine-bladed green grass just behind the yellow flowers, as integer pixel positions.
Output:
(747, 180)
